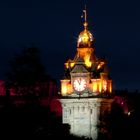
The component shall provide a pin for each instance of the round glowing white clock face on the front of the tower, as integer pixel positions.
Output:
(79, 84)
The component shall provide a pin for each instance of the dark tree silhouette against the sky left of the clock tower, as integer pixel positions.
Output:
(27, 74)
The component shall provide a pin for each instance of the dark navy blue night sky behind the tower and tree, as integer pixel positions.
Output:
(54, 25)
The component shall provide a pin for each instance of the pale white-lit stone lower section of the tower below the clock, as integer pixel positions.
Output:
(83, 115)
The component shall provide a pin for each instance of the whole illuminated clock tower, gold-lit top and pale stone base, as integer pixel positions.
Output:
(86, 88)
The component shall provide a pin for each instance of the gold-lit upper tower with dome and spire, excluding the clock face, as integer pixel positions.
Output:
(98, 80)
